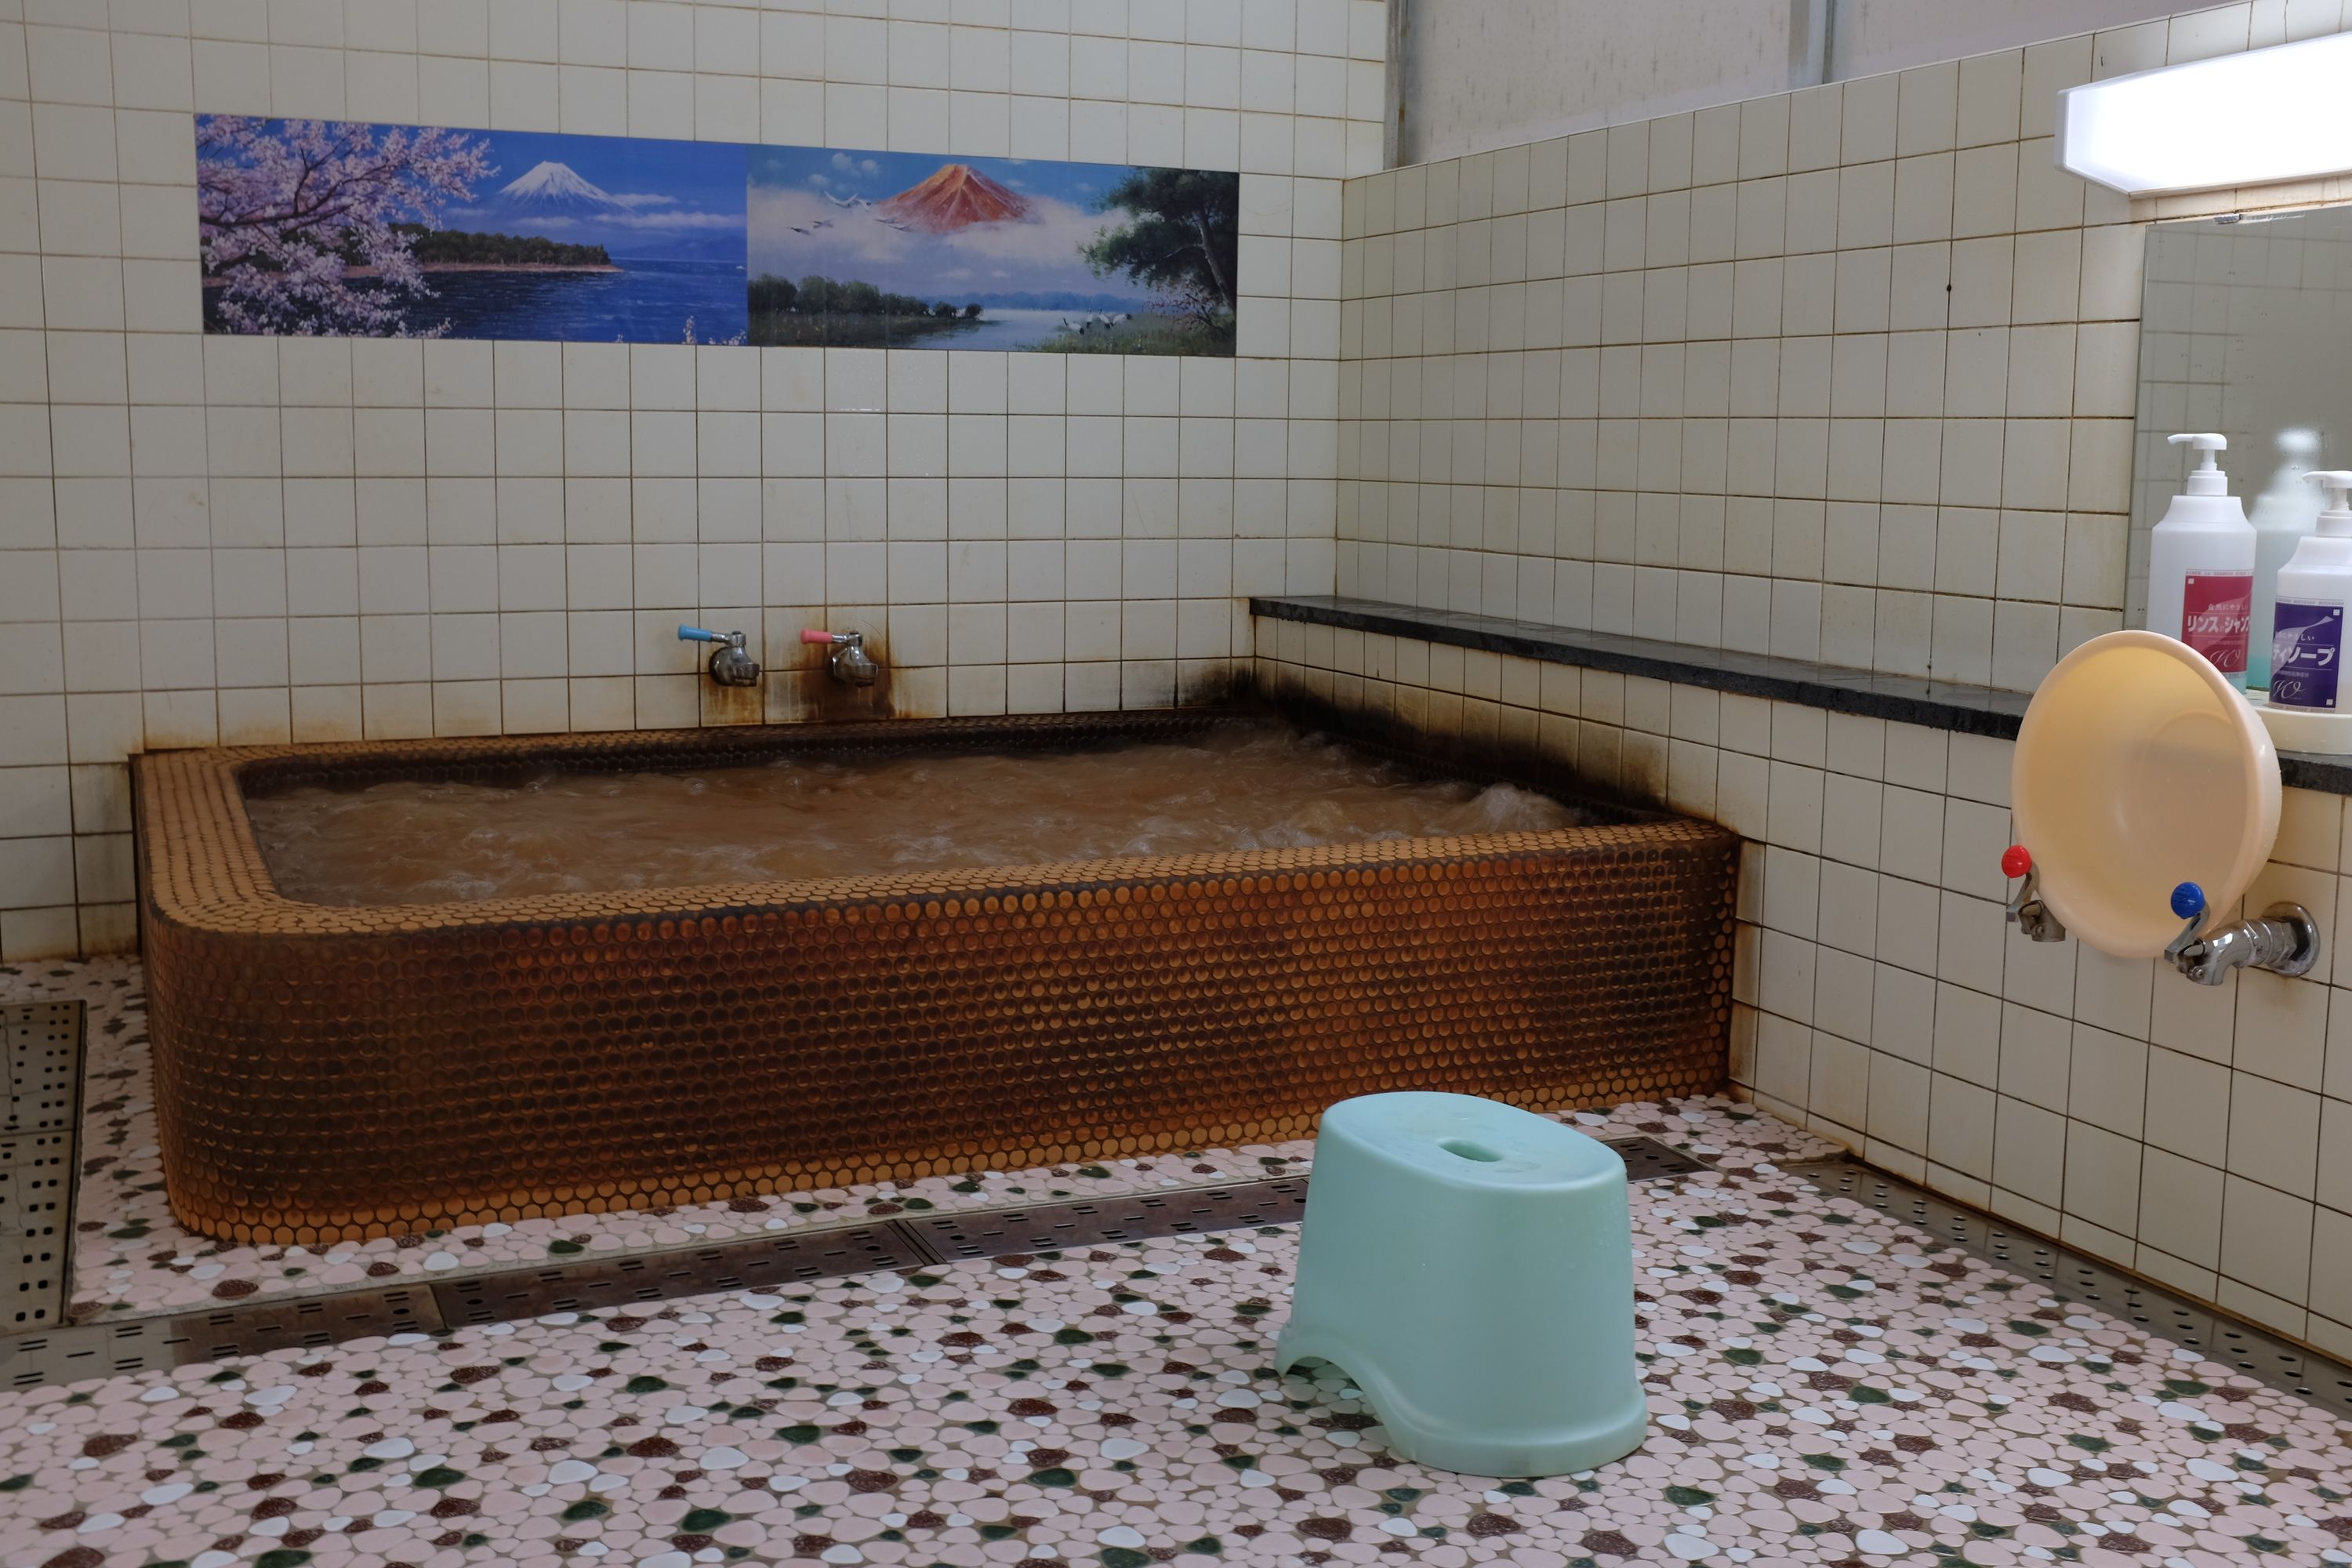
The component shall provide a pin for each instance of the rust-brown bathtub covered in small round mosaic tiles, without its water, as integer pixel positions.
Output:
(347, 1073)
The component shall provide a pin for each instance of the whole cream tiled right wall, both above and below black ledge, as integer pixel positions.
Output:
(1845, 375)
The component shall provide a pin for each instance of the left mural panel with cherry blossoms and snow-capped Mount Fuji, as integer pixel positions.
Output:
(314, 227)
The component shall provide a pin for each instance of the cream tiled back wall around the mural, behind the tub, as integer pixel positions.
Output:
(220, 542)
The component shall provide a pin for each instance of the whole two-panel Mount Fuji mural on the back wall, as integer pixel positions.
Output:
(342, 229)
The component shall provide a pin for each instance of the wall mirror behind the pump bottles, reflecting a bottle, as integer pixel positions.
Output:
(2247, 330)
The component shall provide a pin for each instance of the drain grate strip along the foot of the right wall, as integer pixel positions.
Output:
(2076, 1278)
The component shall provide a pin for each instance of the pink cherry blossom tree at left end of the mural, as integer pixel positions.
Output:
(290, 208)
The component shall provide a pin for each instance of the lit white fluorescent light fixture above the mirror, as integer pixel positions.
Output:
(2236, 121)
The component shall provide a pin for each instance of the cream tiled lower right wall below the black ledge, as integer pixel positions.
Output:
(2200, 1137)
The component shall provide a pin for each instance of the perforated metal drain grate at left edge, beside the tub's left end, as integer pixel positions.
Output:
(41, 1052)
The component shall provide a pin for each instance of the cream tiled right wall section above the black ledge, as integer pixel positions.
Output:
(1840, 375)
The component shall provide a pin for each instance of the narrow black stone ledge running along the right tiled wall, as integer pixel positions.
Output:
(1970, 711)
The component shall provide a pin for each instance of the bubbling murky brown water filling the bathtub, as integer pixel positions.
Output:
(589, 833)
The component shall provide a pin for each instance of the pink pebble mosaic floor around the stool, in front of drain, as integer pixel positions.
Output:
(1826, 1388)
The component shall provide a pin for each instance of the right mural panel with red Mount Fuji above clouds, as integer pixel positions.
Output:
(991, 253)
